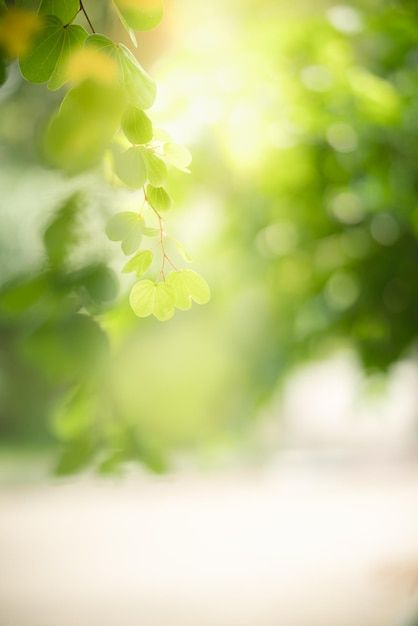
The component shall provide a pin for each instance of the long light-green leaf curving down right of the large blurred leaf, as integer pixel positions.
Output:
(139, 87)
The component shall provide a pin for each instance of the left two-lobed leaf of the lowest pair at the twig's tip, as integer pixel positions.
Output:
(150, 298)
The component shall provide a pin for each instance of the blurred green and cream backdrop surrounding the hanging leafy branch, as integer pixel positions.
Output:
(282, 417)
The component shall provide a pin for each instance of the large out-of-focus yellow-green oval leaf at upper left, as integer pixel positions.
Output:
(80, 132)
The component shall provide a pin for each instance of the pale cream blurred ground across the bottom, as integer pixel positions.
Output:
(295, 544)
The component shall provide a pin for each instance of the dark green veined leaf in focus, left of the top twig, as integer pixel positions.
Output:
(48, 56)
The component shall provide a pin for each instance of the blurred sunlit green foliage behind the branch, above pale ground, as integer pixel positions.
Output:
(306, 159)
